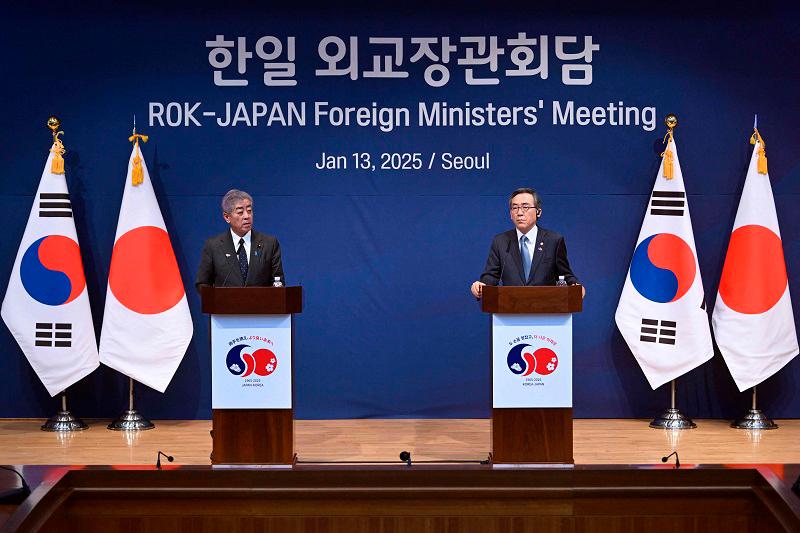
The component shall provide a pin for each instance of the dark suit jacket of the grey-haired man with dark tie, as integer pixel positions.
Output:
(219, 264)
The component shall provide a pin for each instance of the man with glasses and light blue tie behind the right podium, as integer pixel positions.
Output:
(528, 254)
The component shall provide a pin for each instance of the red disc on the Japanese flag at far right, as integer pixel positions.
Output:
(754, 275)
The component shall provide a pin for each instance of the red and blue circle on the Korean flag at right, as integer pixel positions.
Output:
(663, 268)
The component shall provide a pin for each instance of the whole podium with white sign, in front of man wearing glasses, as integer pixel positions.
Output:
(531, 350)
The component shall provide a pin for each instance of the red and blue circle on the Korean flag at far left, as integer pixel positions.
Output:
(52, 271)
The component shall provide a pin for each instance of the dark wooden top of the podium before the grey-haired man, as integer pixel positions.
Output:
(251, 300)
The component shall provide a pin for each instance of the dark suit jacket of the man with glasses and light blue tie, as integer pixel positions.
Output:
(549, 260)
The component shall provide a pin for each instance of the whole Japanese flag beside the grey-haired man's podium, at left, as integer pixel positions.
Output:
(146, 326)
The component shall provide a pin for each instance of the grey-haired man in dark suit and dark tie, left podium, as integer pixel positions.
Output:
(240, 256)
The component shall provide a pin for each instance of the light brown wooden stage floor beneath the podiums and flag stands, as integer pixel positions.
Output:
(596, 442)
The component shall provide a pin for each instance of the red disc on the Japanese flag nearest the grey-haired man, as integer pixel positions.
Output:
(144, 274)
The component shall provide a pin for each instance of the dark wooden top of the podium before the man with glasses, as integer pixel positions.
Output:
(532, 300)
